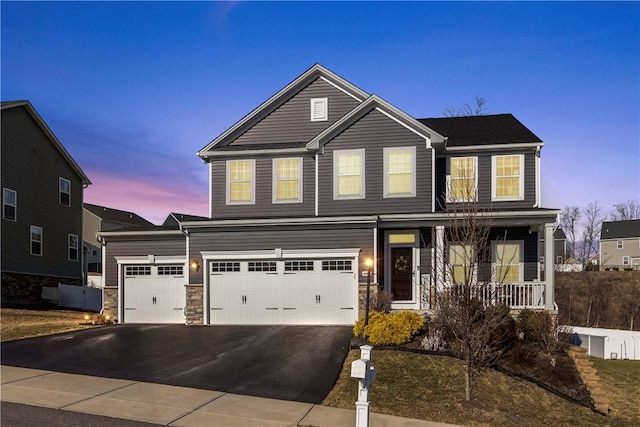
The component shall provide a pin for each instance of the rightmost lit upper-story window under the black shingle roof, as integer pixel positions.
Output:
(507, 177)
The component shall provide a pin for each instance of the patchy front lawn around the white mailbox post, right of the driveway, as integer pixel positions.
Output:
(431, 388)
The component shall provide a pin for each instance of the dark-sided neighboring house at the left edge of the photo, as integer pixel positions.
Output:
(42, 191)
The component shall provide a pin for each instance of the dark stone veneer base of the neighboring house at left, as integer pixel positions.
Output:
(27, 289)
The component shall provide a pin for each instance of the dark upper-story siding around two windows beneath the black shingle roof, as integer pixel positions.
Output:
(484, 179)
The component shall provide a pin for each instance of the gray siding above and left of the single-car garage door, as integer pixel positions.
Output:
(140, 246)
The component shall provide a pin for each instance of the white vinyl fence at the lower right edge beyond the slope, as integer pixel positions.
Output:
(607, 343)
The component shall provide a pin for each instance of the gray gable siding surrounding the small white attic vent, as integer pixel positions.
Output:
(291, 122)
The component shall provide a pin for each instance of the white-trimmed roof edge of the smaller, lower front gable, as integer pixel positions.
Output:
(374, 102)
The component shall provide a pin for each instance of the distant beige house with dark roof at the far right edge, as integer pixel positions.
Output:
(620, 245)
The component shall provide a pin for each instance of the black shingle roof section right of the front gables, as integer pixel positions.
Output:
(496, 129)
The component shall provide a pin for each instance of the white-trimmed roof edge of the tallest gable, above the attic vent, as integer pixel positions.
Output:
(280, 98)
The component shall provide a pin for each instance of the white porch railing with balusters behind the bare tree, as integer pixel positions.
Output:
(518, 295)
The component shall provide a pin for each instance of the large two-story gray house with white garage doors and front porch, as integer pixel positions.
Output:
(319, 178)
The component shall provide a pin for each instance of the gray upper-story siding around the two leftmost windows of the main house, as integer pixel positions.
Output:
(264, 206)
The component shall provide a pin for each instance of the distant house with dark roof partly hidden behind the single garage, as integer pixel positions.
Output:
(100, 218)
